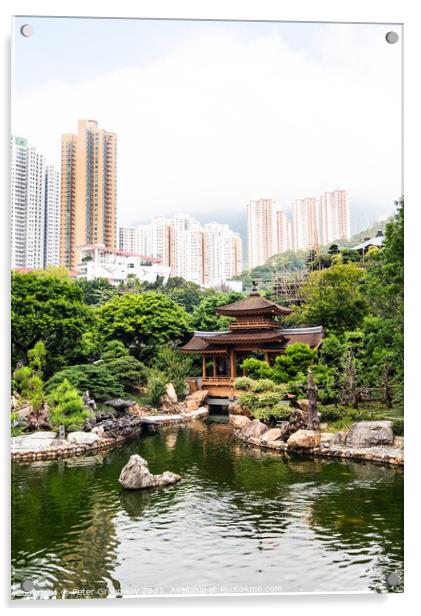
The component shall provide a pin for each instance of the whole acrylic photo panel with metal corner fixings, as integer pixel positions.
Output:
(207, 307)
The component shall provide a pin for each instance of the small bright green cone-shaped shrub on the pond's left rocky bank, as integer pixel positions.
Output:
(66, 408)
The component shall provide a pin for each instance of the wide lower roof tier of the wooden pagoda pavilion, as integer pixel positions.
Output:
(276, 339)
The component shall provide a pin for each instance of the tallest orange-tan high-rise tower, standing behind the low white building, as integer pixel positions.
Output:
(88, 190)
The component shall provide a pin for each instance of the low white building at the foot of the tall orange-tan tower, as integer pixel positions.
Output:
(97, 261)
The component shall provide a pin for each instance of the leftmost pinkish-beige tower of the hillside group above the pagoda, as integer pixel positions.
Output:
(260, 231)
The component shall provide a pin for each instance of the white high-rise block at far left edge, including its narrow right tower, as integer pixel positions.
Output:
(34, 208)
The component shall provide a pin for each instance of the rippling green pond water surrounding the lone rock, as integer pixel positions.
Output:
(240, 520)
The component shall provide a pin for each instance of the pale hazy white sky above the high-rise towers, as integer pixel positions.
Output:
(212, 114)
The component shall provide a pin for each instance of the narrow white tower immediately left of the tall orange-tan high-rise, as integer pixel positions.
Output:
(52, 217)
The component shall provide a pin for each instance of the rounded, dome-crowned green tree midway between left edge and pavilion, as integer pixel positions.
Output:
(144, 322)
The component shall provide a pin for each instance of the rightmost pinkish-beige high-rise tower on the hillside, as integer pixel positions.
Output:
(334, 216)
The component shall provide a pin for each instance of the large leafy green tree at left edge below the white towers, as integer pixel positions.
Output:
(48, 308)
